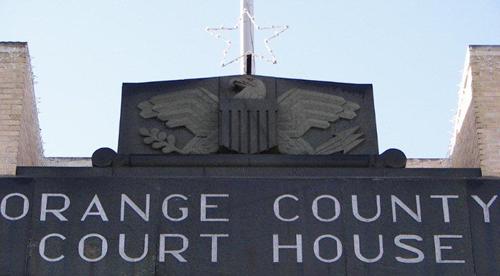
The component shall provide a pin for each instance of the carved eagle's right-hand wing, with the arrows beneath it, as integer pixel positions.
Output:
(300, 110)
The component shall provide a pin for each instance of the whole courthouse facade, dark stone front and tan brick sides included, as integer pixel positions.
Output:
(250, 175)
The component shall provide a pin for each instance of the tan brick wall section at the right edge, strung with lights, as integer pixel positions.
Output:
(476, 141)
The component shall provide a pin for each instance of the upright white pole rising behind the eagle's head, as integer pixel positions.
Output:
(247, 62)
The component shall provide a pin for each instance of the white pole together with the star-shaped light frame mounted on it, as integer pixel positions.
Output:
(246, 24)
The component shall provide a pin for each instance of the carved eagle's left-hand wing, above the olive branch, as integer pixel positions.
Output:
(194, 109)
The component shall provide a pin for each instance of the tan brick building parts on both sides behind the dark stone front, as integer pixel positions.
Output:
(475, 142)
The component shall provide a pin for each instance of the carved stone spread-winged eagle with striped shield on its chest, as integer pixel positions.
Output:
(256, 122)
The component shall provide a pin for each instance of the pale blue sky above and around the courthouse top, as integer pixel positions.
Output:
(412, 51)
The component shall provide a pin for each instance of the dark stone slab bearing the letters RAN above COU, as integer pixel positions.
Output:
(109, 194)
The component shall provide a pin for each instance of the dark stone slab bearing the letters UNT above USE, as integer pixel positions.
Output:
(432, 224)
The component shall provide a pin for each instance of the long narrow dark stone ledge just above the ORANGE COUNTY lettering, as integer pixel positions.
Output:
(259, 172)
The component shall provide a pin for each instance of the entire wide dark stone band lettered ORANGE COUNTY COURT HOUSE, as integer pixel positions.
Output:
(248, 249)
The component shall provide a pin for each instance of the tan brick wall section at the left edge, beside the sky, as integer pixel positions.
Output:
(20, 143)
